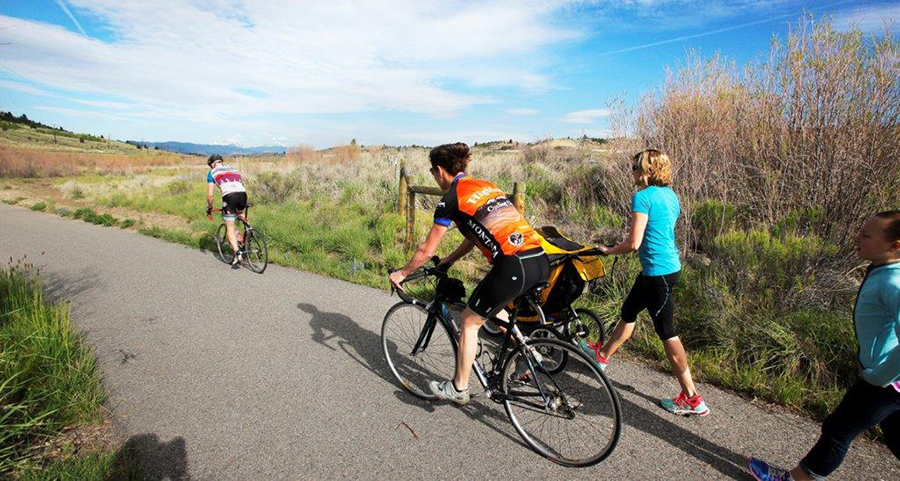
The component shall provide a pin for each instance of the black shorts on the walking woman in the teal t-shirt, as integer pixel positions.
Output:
(653, 293)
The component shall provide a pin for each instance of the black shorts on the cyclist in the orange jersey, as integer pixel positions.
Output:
(510, 277)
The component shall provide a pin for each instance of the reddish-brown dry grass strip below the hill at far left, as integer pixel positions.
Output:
(37, 163)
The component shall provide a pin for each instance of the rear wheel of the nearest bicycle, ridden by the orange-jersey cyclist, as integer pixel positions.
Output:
(571, 417)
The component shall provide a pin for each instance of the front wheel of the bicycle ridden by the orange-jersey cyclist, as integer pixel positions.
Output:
(399, 332)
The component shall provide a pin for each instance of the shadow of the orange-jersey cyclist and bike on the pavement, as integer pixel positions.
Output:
(339, 332)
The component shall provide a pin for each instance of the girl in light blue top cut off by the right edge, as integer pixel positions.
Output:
(875, 397)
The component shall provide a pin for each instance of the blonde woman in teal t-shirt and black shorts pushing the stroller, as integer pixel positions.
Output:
(655, 210)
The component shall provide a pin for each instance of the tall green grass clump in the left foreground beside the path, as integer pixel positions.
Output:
(48, 372)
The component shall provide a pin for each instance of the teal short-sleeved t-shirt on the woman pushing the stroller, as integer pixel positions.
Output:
(658, 252)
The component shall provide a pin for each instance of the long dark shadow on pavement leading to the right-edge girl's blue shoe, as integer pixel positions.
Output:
(638, 416)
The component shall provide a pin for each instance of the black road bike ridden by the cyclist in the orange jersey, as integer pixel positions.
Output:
(567, 412)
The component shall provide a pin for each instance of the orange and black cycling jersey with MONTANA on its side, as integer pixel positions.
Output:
(485, 215)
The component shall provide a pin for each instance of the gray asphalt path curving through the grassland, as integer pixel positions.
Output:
(216, 373)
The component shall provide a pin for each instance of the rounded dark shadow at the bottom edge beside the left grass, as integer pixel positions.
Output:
(144, 456)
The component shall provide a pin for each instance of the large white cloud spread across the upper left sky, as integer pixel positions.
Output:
(193, 59)
